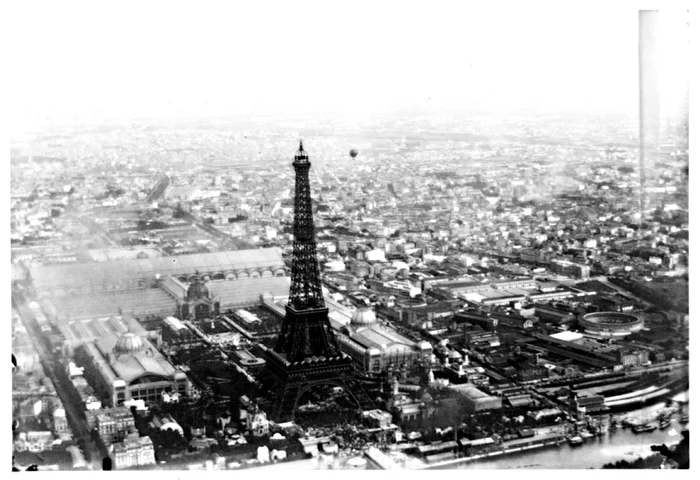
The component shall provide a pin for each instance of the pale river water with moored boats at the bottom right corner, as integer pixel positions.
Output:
(620, 444)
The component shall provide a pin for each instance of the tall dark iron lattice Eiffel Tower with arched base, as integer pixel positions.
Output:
(307, 353)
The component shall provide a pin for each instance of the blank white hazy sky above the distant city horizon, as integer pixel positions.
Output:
(124, 59)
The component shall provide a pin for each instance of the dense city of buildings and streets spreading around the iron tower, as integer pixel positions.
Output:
(489, 282)
